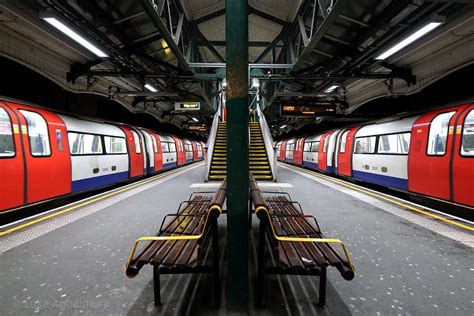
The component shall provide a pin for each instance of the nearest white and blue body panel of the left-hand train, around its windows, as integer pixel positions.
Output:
(95, 170)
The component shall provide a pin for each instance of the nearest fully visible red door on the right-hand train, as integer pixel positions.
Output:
(430, 155)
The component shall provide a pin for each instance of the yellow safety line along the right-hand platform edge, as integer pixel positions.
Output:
(412, 208)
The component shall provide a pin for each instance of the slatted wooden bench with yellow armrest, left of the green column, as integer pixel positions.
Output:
(178, 246)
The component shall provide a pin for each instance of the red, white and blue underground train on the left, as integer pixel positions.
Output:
(44, 155)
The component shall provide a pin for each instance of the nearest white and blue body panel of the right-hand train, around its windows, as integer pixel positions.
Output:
(389, 170)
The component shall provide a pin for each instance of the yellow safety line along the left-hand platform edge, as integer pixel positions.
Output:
(8, 231)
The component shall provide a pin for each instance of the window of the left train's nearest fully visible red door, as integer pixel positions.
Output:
(37, 134)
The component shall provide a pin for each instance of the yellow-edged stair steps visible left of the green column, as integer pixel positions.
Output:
(218, 168)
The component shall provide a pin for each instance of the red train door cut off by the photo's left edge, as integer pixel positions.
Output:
(12, 161)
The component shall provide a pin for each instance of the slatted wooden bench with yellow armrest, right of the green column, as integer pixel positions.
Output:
(296, 241)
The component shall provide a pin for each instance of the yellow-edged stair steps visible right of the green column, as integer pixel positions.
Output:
(258, 160)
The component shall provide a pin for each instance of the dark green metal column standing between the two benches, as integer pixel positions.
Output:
(237, 155)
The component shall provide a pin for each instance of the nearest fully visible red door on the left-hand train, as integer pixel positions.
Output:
(48, 162)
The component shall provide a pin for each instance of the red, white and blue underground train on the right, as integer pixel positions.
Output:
(428, 154)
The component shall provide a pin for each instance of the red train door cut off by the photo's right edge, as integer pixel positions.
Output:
(462, 189)
